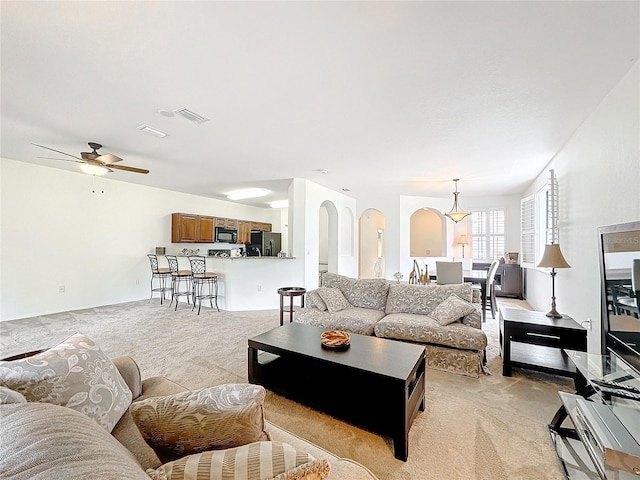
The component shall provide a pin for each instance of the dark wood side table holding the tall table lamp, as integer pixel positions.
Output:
(534, 341)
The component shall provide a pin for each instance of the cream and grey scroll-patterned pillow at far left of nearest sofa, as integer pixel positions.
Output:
(74, 374)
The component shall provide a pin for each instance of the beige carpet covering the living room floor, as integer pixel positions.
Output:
(493, 427)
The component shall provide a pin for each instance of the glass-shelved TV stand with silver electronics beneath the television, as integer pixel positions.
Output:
(604, 438)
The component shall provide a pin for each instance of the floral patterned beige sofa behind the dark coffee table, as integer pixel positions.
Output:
(442, 317)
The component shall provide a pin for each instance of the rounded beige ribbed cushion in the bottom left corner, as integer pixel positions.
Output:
(44, 441)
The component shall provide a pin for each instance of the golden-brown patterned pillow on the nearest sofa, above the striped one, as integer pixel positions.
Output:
(206, 419)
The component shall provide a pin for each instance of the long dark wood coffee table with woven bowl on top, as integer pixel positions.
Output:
(376, 383)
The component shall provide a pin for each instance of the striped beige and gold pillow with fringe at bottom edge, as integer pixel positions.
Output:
(256, 461)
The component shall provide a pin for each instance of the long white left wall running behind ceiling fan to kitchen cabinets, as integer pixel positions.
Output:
(56, 232)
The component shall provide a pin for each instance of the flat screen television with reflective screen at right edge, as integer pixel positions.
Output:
(620, 279)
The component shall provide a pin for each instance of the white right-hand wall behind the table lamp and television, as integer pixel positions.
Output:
(598, 173)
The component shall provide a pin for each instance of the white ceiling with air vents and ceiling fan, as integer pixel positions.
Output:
(398, 97)
